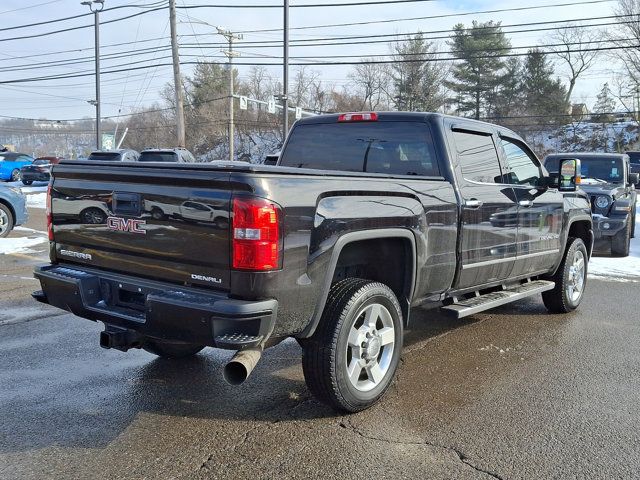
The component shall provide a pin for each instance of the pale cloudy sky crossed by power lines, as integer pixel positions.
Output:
(123, 92)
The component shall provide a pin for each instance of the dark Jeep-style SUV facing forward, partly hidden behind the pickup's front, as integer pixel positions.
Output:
(608, 180)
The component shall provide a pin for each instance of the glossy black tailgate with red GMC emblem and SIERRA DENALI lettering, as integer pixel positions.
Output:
(161, 222)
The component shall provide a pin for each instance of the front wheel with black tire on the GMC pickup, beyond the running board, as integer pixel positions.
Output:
(560, 300)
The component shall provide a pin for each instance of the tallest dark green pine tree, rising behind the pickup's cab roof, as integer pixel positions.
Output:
(480, 70)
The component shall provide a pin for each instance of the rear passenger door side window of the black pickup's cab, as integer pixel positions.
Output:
(478, 157)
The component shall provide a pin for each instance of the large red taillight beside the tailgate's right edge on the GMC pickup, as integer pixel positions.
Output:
(256, 234)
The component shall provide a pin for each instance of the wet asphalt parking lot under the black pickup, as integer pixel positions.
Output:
(514, 394)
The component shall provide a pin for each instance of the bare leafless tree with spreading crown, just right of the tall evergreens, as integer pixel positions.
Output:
(575, 52)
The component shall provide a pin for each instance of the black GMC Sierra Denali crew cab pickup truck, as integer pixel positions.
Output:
(365, 216)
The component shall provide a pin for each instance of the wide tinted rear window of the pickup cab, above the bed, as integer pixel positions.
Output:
(393, 148)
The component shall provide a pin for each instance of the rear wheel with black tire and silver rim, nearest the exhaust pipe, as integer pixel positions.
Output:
(327, 353)
